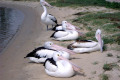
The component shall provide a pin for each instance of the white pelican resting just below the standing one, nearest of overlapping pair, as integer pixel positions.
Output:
(65, 34)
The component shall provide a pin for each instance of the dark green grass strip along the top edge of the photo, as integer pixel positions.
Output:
(72, 3)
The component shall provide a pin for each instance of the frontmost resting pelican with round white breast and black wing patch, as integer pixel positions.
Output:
(58, 66)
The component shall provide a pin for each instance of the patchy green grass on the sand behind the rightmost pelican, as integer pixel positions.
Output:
(109, 23)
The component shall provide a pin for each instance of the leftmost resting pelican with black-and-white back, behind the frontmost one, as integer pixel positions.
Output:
(40, 54)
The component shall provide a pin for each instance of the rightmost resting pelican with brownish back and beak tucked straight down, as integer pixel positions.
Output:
(88, 45)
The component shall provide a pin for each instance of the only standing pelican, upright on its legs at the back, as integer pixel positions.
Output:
(46, 18)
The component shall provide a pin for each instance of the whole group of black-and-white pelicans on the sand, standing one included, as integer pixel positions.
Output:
(55, 58)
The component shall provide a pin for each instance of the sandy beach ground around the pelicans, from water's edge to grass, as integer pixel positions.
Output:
(33, 33)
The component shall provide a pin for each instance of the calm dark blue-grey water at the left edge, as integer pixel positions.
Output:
(10, 21)
